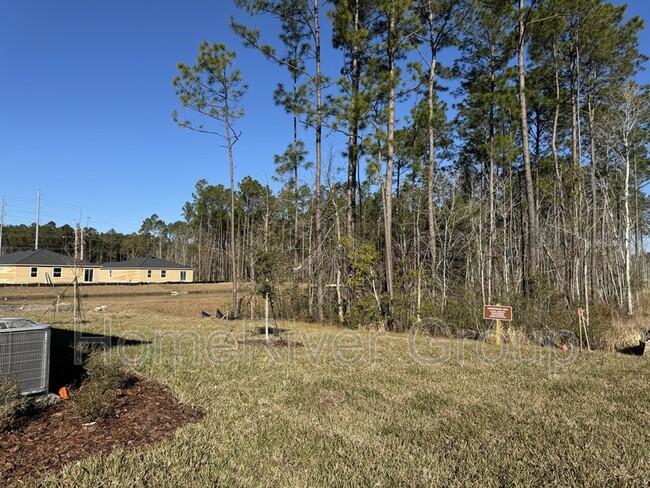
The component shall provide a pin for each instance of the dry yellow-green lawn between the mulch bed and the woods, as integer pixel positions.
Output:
(368, 408)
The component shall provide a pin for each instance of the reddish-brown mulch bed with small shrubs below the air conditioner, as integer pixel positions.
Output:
(146, 413)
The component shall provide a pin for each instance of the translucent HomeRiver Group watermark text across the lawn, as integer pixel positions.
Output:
(424, 344)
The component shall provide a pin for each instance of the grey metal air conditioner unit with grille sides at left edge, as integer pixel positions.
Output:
(25, 353)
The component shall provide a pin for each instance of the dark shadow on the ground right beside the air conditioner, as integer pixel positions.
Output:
(68, 351)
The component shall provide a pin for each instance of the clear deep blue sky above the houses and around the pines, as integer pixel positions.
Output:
(85, 104)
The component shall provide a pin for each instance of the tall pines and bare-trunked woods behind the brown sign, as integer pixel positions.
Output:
(524, 184)
